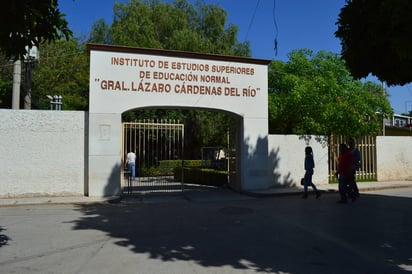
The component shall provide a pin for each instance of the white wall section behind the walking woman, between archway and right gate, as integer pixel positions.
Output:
(286, 160)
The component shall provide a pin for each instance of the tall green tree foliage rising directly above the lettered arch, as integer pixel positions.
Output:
(177, 26)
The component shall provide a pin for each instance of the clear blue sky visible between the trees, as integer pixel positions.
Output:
(300, 24)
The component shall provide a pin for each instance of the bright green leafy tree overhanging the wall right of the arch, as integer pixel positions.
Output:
(315, 94)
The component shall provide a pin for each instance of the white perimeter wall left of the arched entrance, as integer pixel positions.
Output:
(42, 153)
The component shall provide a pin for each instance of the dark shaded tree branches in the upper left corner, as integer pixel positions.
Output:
(30, 23)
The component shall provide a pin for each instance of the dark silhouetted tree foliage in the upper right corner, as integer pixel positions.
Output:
(375, 39)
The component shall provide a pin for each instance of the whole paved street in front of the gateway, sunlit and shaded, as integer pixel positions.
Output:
(234, 234)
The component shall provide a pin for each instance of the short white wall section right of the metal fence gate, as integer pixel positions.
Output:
(394, 158)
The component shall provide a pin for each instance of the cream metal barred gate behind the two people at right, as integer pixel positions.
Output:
(367, 148)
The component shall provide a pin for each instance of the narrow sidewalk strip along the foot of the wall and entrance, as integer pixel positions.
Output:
(202, 196)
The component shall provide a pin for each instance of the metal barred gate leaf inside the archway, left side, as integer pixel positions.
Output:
(159, 149)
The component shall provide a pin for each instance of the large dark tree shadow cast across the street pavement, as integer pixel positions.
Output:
(268, 235)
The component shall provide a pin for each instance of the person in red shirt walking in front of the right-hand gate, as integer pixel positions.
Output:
(345, 164)
